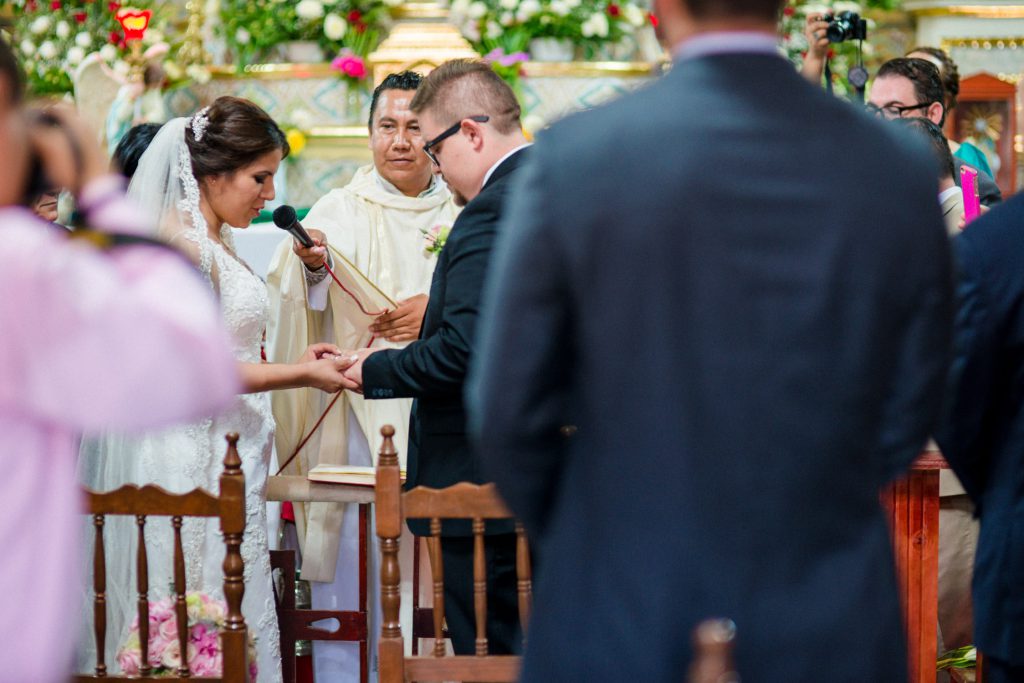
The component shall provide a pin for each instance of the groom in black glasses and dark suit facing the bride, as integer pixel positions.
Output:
(471, 119)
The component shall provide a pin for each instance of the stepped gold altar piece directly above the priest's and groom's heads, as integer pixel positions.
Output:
(421, 40)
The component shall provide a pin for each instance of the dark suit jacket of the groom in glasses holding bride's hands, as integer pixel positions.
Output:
(433, 370)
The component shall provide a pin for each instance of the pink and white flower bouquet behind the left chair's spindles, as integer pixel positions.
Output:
(206, 617)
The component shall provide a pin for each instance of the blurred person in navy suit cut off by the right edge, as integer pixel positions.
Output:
(984, 434)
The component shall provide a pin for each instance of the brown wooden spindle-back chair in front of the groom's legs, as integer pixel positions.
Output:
(463, 501)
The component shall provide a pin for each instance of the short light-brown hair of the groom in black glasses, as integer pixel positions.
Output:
(462, 89)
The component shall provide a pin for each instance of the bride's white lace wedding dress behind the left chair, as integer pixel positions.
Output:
(188, 457)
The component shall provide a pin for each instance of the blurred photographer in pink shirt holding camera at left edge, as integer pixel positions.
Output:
(127, 338)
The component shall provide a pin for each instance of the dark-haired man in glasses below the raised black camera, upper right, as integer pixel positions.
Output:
(908, 88)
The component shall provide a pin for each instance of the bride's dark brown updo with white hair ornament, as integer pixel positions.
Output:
(235, 135)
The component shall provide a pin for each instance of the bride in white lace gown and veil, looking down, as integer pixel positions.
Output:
(202, 176)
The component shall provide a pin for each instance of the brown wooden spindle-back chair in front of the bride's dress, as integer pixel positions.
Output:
(142, 502)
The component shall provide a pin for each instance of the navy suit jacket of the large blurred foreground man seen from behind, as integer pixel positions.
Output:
(739, 289)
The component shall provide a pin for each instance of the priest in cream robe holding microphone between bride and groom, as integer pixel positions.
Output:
(380, 236)
